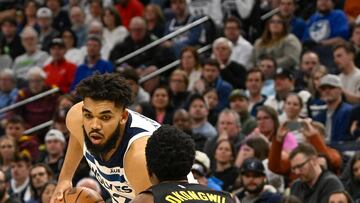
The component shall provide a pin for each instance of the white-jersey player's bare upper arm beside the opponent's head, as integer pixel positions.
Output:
(135, 166)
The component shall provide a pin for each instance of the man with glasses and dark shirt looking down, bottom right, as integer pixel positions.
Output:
(314, 183)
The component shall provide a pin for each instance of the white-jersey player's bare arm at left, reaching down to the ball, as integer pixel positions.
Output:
(74, 151)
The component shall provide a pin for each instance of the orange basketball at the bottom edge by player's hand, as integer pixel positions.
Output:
(82, 195)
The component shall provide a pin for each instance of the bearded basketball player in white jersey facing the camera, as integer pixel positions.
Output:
(111, 137)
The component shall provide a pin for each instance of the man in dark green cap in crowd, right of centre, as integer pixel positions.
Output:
(239, 102)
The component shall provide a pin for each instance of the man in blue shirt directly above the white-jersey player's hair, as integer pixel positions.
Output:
(93, 62)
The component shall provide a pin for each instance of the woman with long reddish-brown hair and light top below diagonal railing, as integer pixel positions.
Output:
(189, 62)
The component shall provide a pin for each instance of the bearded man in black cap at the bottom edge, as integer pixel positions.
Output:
(254, 189)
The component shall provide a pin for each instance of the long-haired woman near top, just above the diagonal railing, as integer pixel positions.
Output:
(155, 20)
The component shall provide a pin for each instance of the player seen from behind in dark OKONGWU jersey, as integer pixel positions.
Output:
(170, 154)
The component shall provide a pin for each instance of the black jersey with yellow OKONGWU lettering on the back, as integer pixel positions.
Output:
(182, 192)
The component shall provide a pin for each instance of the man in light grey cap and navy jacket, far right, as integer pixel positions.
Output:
(336, 117)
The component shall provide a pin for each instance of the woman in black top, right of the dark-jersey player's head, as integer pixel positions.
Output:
(225, 169)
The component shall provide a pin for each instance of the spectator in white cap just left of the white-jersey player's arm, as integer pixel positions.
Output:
(55, 144)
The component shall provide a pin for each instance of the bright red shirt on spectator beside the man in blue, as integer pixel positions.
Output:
(60, 74)
